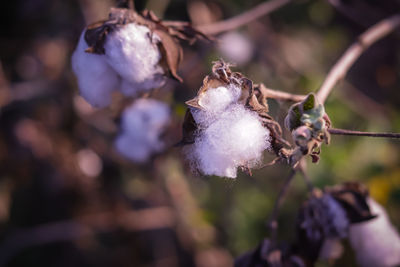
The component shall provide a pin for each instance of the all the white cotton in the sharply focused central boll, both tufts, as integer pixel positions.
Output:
(231, 135)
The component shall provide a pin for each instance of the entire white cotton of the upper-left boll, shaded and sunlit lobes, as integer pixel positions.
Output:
(130, 64)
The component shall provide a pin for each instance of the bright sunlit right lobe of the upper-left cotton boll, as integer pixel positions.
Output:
(133, 53)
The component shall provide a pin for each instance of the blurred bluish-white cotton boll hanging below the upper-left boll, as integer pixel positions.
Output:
(141, 126)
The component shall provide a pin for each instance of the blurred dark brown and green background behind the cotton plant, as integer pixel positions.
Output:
(68, 199)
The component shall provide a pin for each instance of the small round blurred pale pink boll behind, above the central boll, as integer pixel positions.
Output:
(236, 47)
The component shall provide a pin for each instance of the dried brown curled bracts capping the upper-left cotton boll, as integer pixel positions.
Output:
(169, 34)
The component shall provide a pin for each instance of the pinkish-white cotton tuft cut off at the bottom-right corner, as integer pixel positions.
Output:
(376, 242)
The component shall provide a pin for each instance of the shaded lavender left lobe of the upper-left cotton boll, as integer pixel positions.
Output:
(96, 79)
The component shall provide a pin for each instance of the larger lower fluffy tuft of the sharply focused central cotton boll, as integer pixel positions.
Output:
(236, 138)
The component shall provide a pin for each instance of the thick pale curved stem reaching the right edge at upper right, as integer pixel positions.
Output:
(365, 40)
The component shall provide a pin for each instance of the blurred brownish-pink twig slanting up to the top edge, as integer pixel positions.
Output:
(244, 18)
